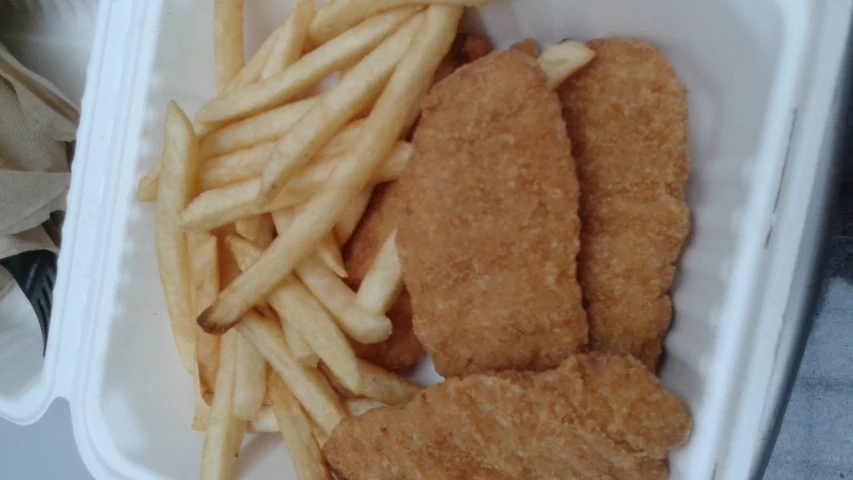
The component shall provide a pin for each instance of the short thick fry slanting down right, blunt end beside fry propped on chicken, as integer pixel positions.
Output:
(339, 299)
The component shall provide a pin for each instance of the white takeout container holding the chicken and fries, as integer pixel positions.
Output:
(761, 75)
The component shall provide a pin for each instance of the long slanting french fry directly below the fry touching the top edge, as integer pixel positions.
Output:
(306, 72)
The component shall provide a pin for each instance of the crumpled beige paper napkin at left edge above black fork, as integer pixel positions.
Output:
(36, 121)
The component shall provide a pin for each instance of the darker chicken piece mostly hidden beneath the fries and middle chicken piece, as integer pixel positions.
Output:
(402, 350)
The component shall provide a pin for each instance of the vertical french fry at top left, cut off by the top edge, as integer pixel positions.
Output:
(227, 40)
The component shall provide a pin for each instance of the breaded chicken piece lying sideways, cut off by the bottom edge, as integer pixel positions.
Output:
(597, 416)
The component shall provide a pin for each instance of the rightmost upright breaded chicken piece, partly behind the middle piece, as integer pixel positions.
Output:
(627, 118)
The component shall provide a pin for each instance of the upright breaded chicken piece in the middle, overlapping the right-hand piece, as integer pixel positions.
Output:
(489, 239)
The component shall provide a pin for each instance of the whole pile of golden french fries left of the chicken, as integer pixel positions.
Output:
(256, 196)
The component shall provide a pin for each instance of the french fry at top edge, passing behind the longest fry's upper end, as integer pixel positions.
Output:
(337, 16)
